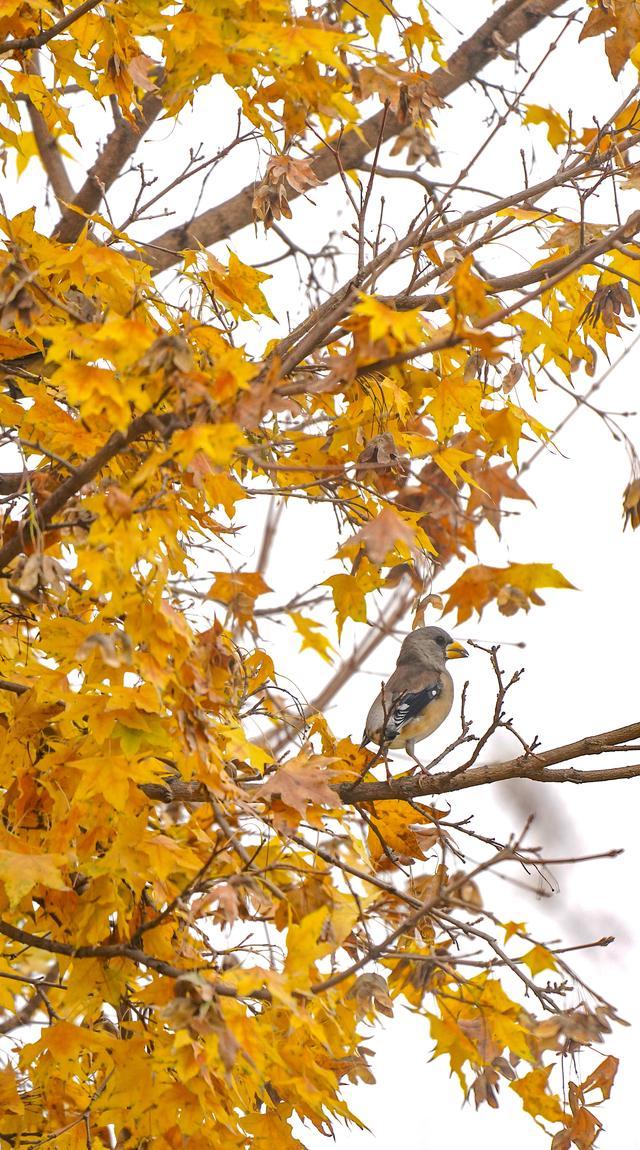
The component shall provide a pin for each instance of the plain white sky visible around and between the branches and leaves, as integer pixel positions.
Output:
(581, 650)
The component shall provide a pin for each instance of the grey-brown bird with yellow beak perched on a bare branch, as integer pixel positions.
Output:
(420, 694)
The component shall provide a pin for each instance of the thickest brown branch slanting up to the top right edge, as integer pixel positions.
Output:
(505, 27)
